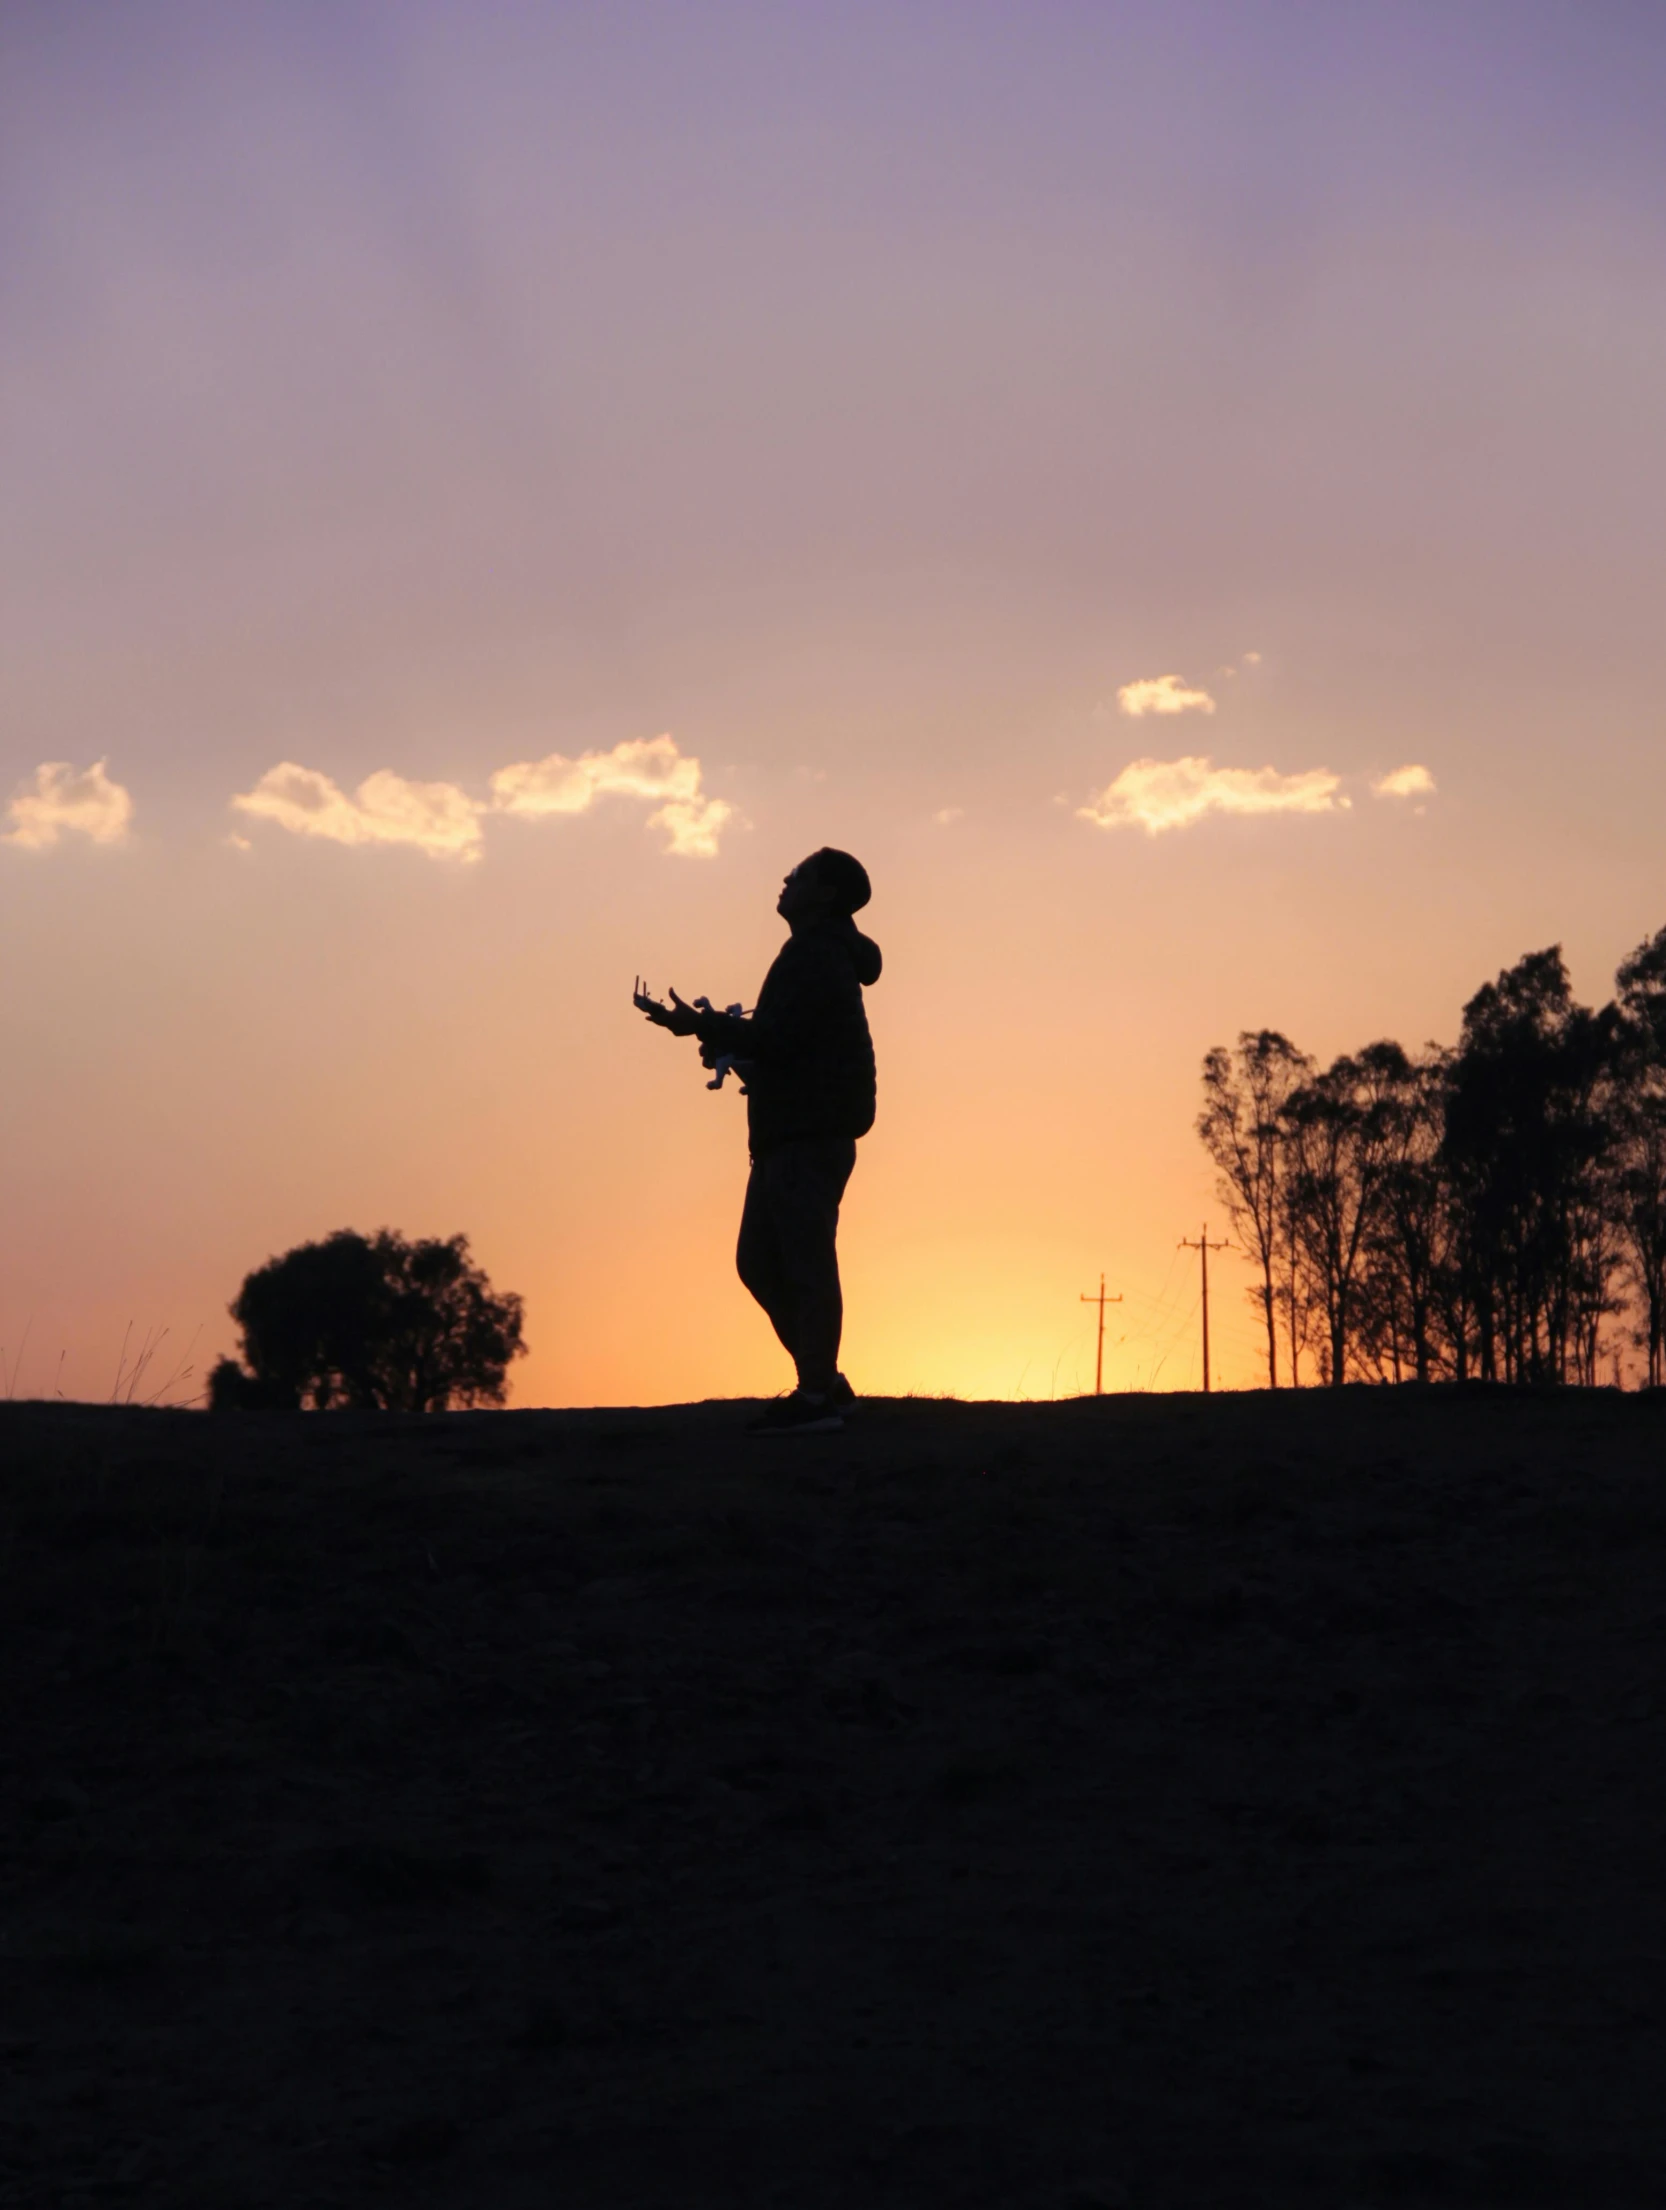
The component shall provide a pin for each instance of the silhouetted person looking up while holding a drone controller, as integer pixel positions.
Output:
(808, 1064)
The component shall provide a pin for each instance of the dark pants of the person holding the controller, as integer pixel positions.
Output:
(788, 1250)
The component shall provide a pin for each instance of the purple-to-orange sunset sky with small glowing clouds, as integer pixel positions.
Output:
(1179, 490)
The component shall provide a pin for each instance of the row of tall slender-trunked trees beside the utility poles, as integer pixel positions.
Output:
(1490, 1210)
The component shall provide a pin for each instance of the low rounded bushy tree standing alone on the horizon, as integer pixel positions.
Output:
(370, 1323)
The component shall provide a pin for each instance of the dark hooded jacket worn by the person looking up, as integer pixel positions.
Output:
(808, 1051)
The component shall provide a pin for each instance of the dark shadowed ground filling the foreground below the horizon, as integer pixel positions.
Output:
(1135, 1804)
